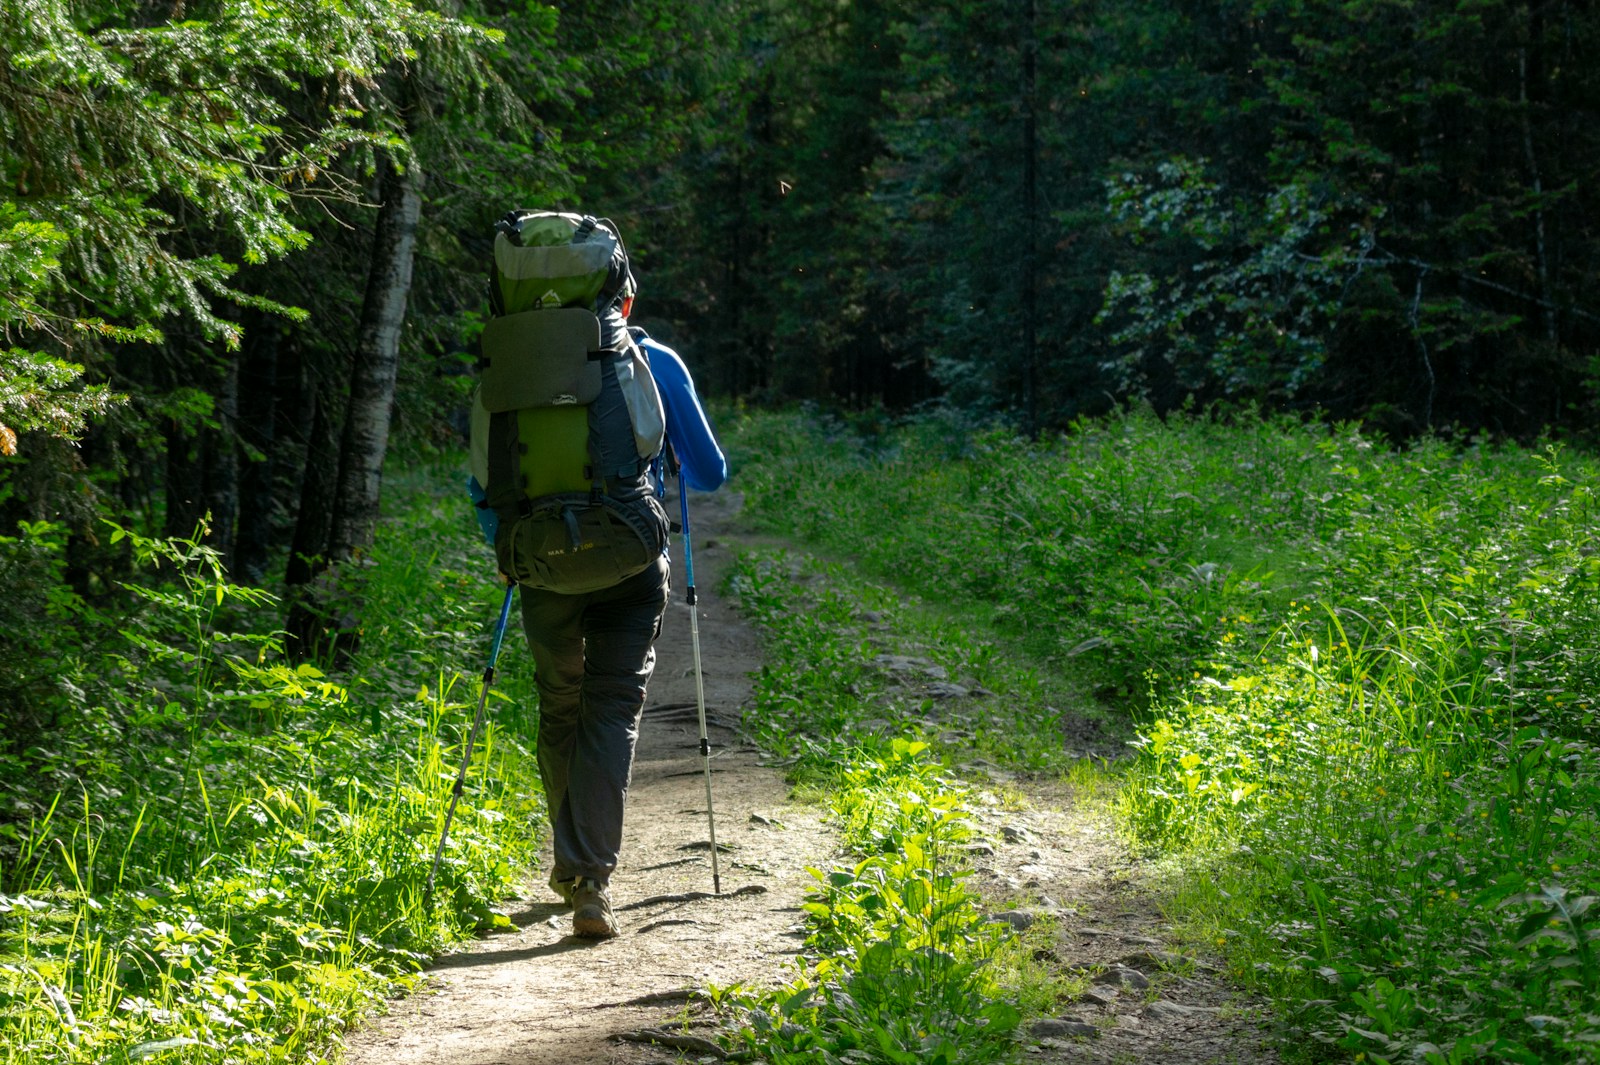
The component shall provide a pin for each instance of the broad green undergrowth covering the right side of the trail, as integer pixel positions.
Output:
(1359, 687)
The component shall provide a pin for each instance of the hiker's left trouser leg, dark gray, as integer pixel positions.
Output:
(554, 628)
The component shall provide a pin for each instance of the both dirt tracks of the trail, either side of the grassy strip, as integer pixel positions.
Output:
(542, 997)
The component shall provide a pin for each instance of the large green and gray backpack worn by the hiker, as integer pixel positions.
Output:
(567, 420)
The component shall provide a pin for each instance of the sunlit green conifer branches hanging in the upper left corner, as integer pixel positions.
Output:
(121, 130)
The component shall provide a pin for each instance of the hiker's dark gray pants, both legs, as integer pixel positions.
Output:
(593, 656)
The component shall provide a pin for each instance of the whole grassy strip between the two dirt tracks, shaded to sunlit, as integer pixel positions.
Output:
(898, 951)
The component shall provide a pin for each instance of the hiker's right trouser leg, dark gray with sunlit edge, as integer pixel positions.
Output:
(620, 632)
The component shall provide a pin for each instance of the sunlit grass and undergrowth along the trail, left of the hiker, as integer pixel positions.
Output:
(215, 856)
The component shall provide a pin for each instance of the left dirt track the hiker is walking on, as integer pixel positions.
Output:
(543, 997)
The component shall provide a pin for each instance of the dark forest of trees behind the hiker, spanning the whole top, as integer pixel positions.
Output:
(242, 250)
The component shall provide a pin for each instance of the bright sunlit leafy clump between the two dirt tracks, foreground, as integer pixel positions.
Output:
(897, 943)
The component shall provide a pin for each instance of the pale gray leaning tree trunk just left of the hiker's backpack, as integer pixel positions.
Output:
(366, 437)
